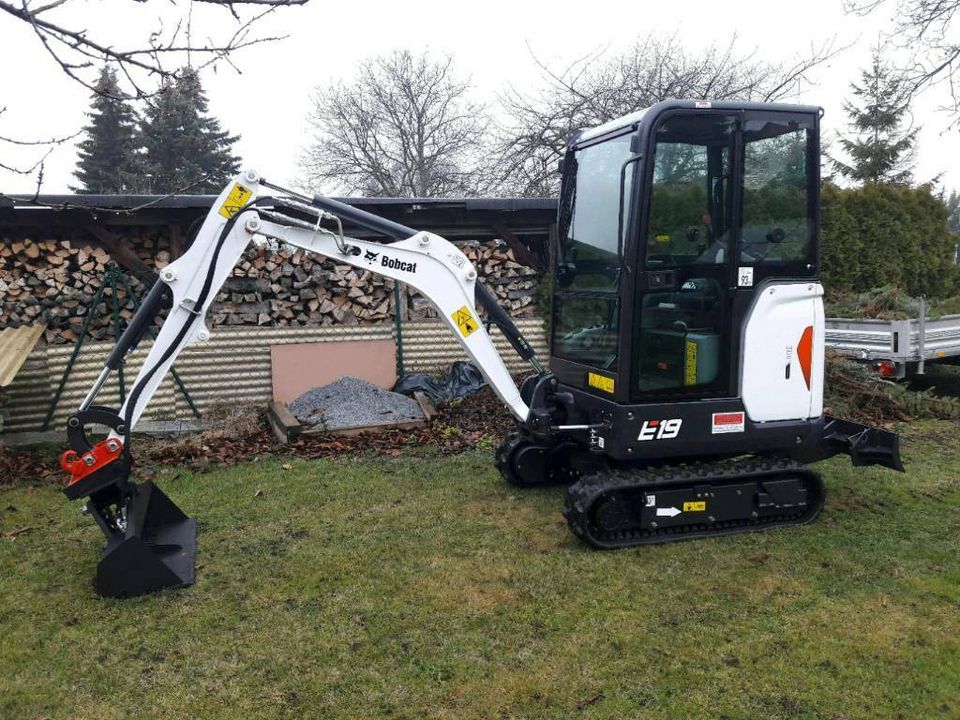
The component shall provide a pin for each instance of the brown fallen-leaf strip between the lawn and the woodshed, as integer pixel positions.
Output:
(458, 426)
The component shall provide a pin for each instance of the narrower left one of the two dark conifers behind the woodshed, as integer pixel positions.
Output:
(109, 161)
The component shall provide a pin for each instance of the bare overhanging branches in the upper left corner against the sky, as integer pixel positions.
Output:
(144, 64)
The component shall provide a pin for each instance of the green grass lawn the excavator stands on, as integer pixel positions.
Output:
(424, 587)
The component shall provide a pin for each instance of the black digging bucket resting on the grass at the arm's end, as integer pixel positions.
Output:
(155, 550)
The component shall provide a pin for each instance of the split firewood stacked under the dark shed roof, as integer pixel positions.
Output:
(55, 280)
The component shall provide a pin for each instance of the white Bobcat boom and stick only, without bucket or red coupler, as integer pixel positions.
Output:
(424, 261)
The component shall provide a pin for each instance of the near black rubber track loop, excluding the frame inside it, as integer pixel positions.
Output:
(582, 495)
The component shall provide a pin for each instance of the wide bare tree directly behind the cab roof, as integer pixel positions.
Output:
(599, 88)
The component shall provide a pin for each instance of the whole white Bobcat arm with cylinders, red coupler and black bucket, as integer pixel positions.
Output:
(151, 543)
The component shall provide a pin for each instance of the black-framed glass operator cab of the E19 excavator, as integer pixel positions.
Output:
(670, 225)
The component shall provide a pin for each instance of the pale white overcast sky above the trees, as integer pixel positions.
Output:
(491, 42)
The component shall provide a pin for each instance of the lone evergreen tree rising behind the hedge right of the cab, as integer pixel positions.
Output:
(879, 151)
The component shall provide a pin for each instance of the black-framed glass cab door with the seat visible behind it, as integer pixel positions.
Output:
(682, 313)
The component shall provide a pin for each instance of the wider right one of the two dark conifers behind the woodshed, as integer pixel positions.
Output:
(186, 150)
